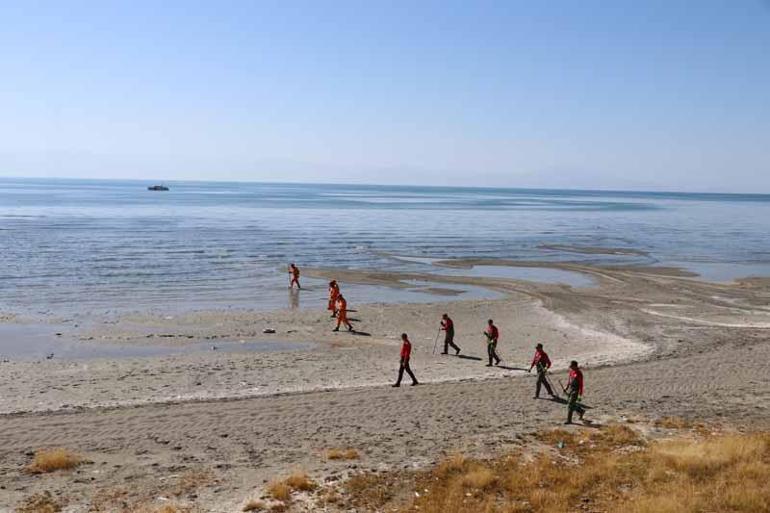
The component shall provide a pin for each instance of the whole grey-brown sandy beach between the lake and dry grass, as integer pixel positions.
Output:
(655, 342)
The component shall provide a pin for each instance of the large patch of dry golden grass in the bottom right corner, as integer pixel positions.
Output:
(611, 470)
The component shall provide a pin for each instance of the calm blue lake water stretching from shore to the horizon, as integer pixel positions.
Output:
(69, 246)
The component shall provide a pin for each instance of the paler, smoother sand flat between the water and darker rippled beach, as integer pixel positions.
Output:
(564, 318)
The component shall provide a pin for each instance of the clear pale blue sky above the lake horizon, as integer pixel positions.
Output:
(610, 94)
